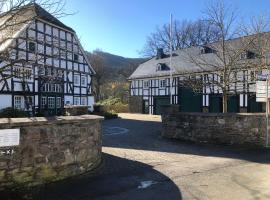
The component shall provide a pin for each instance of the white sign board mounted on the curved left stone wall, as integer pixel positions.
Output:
(9, 137)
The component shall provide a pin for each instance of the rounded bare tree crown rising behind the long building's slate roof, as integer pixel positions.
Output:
(185, 34)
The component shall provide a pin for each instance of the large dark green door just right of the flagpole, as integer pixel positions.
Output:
(189, 100)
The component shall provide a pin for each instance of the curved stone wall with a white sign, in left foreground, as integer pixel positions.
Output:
(50, 149)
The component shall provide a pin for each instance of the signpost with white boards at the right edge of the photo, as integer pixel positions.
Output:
(262, 95)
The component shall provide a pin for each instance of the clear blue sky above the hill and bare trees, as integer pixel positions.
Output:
(121, 26)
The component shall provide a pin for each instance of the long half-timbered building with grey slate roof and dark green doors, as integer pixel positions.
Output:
(151, 86)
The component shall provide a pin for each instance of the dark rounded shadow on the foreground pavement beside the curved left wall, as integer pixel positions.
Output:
(118, 179)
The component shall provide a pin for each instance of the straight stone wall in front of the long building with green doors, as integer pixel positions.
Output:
(233, 129)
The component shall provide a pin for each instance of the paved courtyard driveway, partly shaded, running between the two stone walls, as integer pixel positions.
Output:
(139, 164)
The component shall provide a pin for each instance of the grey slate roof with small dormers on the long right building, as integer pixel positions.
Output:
(182, 60)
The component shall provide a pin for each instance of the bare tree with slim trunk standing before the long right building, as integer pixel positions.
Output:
(234, 52)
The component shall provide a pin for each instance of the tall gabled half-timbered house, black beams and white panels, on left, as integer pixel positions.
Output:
(46, 67)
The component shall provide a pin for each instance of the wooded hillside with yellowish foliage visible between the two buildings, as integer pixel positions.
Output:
(112, 73)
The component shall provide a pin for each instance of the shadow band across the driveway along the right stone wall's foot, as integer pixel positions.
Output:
(146, 135)
